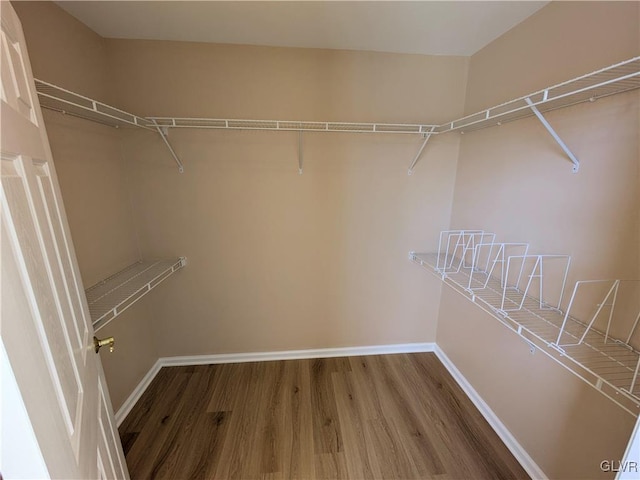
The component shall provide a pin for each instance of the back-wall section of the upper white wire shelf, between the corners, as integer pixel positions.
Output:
(290, 125)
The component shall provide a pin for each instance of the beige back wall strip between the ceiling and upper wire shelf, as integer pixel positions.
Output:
(232, 81)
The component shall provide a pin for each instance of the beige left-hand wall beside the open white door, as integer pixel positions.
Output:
(92, 174)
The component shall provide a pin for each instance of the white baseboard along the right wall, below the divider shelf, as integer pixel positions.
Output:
(534, 471)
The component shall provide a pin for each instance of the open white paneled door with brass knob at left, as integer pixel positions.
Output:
(45, 325)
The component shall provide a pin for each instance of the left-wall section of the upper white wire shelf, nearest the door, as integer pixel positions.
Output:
(64, 101)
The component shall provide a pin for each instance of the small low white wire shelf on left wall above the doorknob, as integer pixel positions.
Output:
(114, 295)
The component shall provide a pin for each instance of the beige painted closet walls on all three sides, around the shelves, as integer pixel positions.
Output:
(281, 261)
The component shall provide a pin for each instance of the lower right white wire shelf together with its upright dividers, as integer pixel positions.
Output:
(593, 332)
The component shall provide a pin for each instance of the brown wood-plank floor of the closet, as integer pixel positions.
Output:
(381, 417)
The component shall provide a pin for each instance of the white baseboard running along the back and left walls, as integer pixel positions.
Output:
(126, 407)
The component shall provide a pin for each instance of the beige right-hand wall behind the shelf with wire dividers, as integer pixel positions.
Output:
(515, 181)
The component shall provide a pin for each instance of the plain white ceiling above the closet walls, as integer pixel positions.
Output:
(424, 27)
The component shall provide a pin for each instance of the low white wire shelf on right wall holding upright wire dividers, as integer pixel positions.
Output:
(607, 364)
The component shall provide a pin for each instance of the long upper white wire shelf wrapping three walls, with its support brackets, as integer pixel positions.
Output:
(619, 78)
